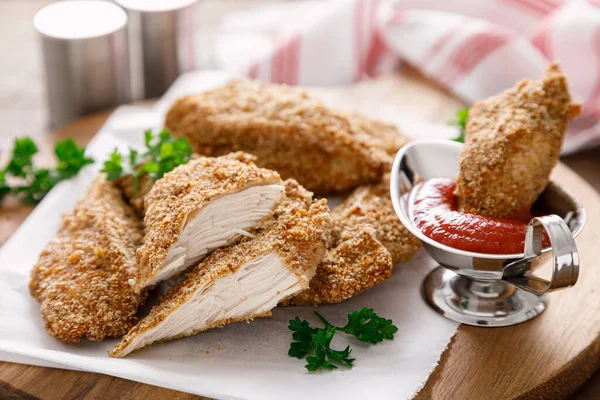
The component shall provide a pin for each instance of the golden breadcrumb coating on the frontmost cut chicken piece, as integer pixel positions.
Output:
(298, 232)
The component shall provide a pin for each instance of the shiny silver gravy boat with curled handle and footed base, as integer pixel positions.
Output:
(489, 289)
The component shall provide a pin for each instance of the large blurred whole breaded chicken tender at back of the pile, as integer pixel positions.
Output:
(290, 132)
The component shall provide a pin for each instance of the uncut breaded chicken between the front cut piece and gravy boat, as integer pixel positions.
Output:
(368, 238)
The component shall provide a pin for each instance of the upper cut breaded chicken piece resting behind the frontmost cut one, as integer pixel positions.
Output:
(201, 206)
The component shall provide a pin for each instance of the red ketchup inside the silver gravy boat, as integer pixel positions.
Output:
(435, 214)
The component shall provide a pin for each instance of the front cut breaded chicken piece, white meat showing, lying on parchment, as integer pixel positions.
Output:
(244, 281)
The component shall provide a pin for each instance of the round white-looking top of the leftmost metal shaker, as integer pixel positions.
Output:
(83, 19)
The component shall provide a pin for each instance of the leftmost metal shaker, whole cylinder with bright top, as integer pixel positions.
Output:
(86, 57)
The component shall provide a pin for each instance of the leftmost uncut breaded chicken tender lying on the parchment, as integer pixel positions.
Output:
(85, 276)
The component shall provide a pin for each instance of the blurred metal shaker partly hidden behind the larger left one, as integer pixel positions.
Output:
(161, 38)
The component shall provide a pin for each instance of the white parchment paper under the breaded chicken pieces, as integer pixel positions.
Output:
(240, 361)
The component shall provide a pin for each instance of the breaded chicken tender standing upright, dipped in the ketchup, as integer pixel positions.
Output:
(512, 143)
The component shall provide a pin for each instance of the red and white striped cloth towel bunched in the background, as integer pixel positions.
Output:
(475, 48)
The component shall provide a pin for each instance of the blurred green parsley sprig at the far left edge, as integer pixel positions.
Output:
(30, 183)
